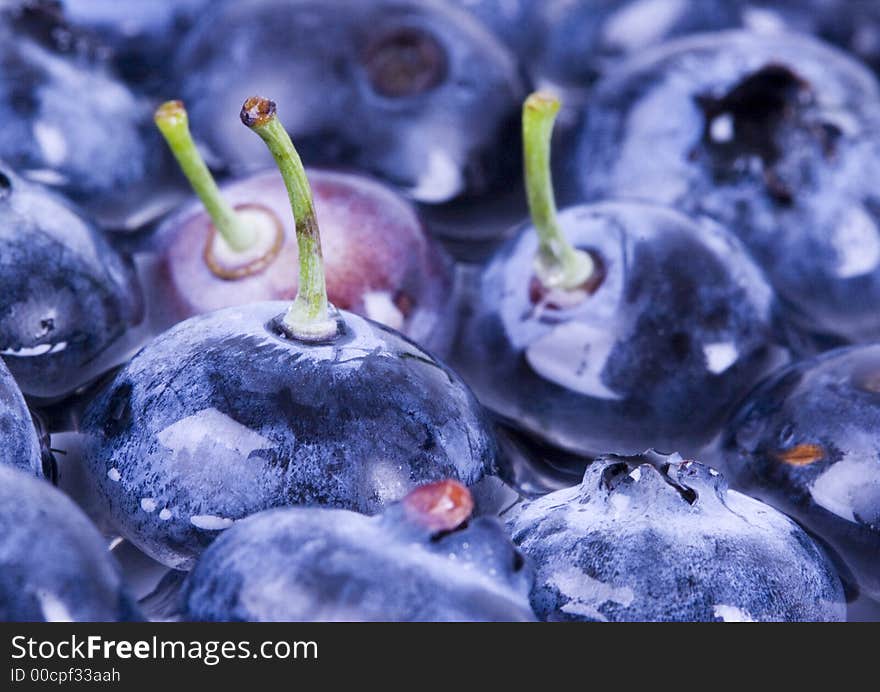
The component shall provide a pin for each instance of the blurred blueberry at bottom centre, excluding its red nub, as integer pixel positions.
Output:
(314, 564)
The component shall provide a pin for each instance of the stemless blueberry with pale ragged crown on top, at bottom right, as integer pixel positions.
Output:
(651, 538)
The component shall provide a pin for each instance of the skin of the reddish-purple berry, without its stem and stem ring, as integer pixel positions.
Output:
(379, 261)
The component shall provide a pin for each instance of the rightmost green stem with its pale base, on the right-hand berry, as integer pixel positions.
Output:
(558, 264)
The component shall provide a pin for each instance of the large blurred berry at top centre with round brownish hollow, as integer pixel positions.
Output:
(419, 95)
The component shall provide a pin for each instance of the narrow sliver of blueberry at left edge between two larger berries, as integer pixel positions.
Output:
(21, 446)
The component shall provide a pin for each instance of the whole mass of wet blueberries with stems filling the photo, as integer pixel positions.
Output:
(366, 391)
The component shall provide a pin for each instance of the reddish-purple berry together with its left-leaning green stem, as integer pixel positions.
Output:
(380, 261)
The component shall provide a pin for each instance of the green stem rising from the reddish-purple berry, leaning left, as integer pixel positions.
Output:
(173, 123)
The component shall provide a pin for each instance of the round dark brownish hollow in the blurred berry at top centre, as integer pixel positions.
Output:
(405, 62)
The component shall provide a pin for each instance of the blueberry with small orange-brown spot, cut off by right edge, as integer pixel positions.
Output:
(831, 402)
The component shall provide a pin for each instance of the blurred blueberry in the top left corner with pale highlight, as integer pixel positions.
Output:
(67, 121)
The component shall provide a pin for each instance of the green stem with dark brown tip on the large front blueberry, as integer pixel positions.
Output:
(309, 316)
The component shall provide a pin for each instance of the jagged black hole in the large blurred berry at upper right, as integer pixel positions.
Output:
(746, 121)
